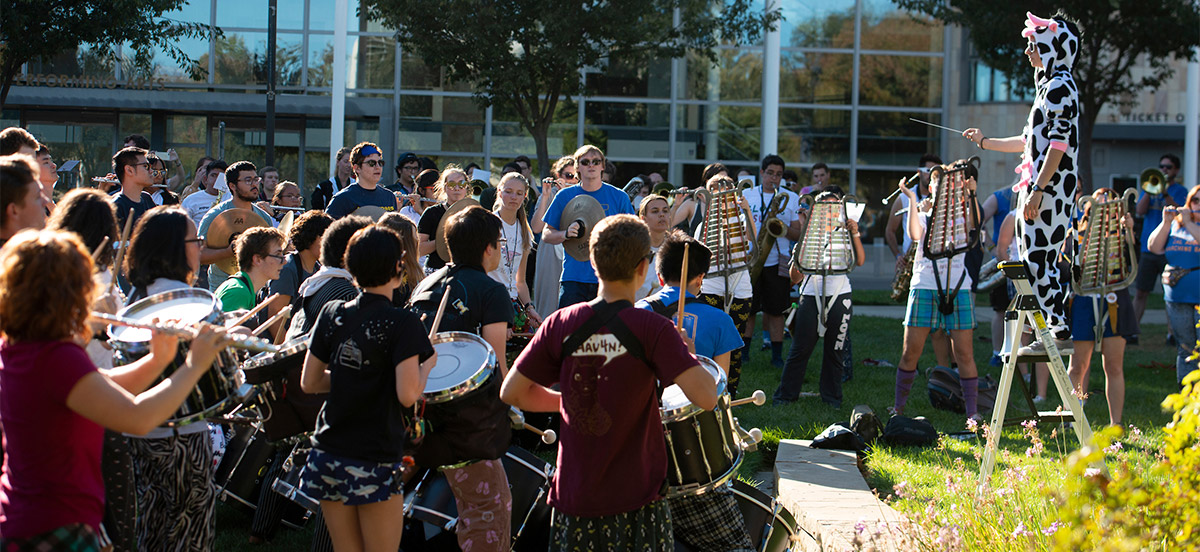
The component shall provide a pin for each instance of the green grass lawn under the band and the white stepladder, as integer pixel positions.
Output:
(925, 472)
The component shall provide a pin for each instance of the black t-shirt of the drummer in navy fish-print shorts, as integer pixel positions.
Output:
(363, 419)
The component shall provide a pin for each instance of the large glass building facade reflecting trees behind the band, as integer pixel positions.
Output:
(850, 76)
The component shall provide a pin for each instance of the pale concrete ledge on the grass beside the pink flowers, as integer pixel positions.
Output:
(827, 495)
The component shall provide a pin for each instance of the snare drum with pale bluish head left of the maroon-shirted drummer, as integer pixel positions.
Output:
(465, 363)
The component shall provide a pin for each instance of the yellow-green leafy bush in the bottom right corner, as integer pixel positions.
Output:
(1133, 509)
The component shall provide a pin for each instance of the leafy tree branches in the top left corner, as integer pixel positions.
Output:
(33, 31)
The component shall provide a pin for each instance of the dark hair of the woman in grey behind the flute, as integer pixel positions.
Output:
(158, 249)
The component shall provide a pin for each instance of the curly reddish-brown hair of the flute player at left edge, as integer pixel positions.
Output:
(35, 307)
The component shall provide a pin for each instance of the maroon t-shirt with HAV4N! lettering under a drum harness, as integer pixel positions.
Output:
(611, 452)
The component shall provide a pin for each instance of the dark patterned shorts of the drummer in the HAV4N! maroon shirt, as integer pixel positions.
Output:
(647, 529)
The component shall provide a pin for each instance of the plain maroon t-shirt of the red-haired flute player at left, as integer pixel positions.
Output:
(52, 455)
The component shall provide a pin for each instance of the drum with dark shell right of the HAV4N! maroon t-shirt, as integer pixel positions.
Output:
(704, 451)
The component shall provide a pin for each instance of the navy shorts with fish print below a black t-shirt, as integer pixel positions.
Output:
(353, 483)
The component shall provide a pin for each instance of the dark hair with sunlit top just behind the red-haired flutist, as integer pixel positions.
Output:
(93, 218)
